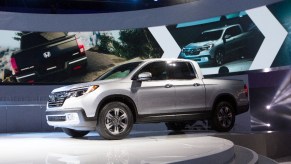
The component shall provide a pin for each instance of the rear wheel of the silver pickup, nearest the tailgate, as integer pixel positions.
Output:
(223, 117)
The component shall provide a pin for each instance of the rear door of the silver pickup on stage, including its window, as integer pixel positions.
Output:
(189, 89)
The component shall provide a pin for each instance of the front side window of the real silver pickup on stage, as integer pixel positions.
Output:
(157, 69)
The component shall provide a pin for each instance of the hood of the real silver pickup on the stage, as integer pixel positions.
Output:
(74, 86)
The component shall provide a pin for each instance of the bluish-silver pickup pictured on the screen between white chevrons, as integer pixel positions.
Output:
(216, 45)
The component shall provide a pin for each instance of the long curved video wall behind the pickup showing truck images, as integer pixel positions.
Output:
(236, 41)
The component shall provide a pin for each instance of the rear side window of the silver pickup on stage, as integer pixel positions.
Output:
(181, 70)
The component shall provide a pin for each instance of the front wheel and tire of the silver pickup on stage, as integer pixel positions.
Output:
(115, 121)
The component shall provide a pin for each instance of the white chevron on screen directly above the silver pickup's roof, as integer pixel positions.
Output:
(166, 41)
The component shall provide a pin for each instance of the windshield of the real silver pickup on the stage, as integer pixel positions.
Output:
(119, 72)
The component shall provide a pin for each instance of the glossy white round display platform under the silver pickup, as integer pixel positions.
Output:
(149, 147)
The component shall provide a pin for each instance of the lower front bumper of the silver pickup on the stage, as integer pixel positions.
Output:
(73, 119)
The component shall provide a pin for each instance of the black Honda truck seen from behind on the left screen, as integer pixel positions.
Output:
(43, 54)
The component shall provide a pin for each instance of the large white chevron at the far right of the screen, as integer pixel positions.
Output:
(274, 34)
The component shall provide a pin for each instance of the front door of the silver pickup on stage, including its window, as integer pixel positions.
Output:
(156, 96)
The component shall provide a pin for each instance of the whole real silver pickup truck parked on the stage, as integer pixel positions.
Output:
(149, 91)
